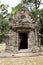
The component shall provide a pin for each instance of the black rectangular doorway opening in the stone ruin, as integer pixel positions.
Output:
(23, 41)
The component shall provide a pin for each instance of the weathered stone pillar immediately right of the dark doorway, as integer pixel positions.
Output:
(31, 39)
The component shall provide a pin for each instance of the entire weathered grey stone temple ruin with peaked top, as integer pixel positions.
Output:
(23, 32)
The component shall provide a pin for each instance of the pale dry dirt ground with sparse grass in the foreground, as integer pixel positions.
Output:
(36, 60)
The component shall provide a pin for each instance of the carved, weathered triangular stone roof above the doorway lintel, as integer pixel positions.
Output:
(23, 18)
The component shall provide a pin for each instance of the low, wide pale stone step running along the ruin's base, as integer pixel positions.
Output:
(6, 54)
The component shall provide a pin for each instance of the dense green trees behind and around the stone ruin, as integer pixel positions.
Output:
(5, 16)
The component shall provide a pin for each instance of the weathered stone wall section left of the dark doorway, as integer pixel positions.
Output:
(11, 43)
